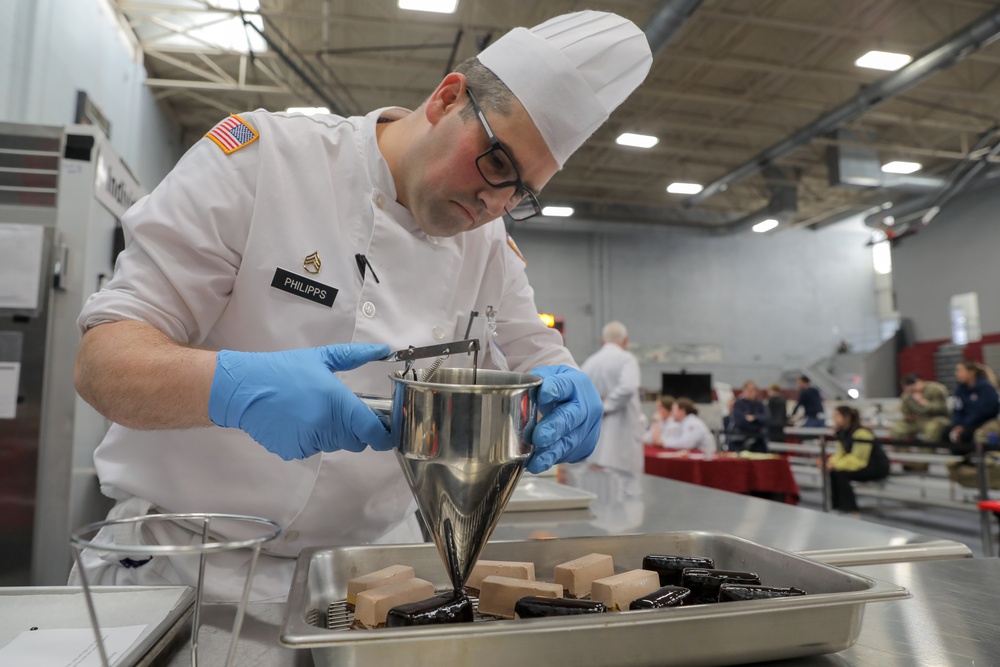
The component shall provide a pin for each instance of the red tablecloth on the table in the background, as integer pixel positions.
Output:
(728, 472)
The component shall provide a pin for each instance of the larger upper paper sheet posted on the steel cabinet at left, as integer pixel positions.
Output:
(20, 265)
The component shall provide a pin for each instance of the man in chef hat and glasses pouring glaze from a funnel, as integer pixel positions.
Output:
(279, 233)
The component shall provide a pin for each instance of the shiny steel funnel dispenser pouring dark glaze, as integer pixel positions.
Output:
(463, 445)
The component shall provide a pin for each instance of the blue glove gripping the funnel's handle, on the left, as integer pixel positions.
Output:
(292, 403)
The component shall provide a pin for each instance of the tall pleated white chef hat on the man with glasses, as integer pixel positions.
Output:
(571, 72)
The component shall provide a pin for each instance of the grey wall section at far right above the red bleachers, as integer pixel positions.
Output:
(958, 252)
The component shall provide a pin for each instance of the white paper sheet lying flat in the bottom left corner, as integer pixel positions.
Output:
(68, 648)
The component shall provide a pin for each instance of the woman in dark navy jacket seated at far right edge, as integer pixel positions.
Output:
(976, 407)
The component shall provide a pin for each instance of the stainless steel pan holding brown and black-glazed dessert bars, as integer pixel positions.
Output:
(825, 621)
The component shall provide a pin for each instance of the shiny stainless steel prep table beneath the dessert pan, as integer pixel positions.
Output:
(909, 632)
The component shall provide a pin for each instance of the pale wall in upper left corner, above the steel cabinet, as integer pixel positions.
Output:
(49, 49)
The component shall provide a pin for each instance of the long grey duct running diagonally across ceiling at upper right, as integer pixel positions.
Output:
(942, 56)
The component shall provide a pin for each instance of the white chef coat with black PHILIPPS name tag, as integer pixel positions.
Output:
(202, 250)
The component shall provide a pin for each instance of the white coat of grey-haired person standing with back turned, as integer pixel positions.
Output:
(615, 373)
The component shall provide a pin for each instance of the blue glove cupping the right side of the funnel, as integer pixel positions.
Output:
(571, 417)
